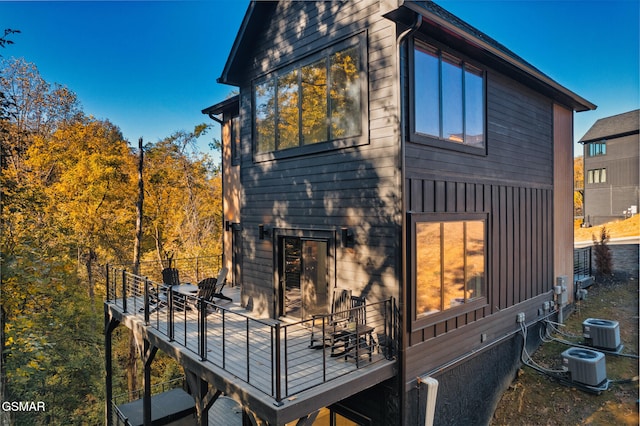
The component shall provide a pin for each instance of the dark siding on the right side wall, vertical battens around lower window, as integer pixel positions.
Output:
(513, 185)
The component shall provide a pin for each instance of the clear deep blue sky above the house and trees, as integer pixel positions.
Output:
(150, 67)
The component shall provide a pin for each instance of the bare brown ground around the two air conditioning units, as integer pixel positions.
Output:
(536, 399)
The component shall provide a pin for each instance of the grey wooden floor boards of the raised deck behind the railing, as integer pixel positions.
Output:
(226, 347)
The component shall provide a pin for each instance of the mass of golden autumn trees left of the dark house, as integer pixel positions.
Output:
(69, 188)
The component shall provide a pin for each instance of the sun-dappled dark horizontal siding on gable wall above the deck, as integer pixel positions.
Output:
(355, 187)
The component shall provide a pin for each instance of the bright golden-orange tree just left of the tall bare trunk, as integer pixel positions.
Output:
(86, 170)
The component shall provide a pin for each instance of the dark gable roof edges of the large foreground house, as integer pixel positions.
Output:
(441, 22)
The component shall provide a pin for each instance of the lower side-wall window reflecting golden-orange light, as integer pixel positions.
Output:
(449, 263)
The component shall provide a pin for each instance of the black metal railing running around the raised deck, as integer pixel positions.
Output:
(279, 359)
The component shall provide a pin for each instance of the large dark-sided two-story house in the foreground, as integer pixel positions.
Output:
(390, 149)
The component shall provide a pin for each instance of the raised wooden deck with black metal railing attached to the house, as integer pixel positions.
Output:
(269, 366)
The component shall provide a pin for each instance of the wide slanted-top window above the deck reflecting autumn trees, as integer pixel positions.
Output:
(312, 102)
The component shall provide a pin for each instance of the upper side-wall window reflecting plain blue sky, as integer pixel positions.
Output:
(448, 98)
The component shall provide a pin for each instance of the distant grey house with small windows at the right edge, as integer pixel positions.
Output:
(611, 168)
